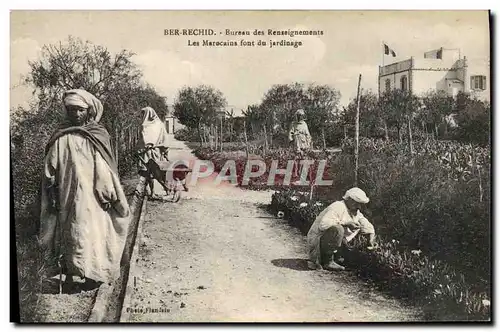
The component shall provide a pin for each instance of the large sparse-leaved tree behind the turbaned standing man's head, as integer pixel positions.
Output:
(114, 79)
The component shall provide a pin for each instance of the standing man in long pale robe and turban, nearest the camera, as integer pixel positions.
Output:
(84, 211)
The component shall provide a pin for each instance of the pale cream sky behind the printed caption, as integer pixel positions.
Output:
(351, 44)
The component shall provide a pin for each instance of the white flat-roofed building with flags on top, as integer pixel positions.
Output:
(441, 69)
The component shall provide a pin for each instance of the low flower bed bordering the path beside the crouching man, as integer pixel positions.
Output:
(440, 290)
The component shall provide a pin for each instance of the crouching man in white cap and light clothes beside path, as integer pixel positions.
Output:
(341, 220)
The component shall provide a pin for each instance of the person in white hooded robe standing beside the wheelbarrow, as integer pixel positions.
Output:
(153, 144)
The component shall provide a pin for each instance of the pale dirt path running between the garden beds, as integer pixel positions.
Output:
(217, 257)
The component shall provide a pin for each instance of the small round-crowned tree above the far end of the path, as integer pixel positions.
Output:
(199, 105)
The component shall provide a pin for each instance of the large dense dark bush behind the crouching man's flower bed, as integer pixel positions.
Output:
(425, 202)
